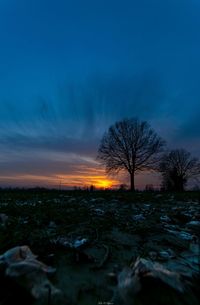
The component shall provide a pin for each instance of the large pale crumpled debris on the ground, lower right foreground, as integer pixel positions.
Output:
(148, 283)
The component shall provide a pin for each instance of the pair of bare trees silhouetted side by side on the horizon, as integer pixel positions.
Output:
(133, 146)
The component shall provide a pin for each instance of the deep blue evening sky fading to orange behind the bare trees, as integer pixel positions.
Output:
(70, 69)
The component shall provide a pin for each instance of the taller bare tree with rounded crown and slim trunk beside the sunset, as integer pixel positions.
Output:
(130, 145)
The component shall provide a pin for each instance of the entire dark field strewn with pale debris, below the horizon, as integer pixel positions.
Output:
(105, 247)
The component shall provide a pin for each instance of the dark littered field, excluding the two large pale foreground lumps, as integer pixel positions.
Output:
(89, 237)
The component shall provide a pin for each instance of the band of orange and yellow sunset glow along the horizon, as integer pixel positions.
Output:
(84, 179)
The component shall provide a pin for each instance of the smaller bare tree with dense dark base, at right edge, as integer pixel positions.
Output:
(177, 167)
